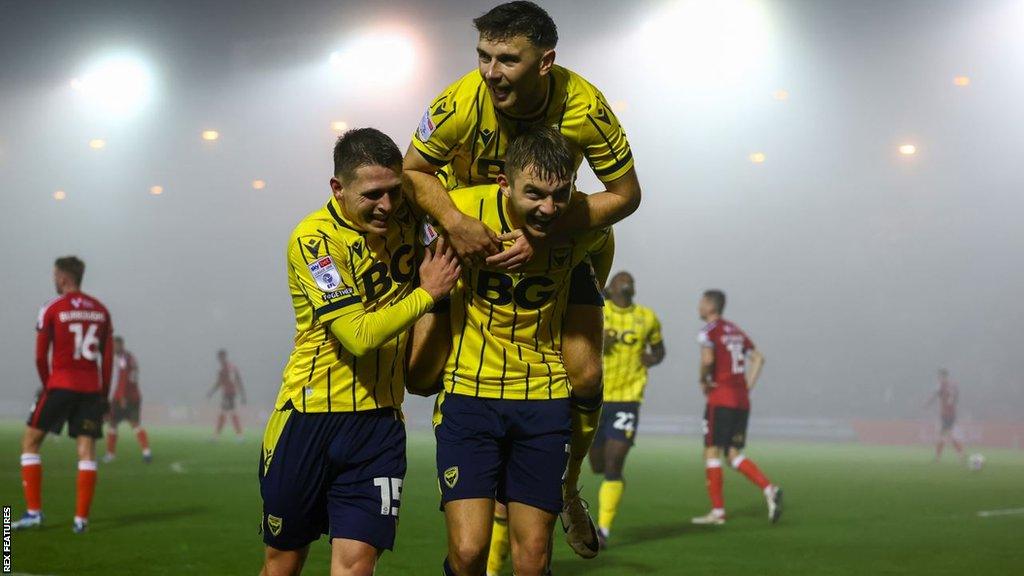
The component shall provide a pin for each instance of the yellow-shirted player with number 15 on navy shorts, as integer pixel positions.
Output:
(334, 451)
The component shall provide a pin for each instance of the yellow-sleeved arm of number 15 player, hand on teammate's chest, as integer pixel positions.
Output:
(361, 332)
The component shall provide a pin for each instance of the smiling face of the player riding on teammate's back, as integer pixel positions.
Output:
(514, 70)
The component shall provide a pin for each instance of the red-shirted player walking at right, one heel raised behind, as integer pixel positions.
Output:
(728, 382)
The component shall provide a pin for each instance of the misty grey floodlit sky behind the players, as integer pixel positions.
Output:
(859, 271)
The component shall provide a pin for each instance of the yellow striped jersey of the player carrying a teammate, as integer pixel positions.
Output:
(506, 327)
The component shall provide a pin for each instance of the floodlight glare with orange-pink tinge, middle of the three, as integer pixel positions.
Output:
(380, 59)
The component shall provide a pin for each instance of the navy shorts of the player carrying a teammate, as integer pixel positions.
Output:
(509, 450)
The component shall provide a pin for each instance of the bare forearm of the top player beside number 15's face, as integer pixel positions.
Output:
(472, 240)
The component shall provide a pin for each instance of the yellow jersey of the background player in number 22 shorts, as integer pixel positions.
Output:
(632, 331)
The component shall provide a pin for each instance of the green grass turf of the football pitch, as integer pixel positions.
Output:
(850, 510)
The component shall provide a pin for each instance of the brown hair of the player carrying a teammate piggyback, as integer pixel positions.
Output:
(545, 151)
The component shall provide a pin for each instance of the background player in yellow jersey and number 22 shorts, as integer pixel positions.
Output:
(632, 345)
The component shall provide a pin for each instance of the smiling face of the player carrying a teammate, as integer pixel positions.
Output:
(535, 203)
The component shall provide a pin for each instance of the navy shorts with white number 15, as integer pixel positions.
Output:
(337, 474)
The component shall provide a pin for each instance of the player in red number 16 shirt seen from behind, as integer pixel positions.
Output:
(74, 356)
